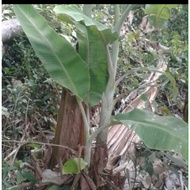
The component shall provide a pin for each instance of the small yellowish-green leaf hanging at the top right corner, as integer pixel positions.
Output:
(159, 14)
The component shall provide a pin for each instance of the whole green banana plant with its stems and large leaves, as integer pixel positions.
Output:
(90, 73)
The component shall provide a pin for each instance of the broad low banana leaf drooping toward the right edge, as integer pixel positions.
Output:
(157, 132)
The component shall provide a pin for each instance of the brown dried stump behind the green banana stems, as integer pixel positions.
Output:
(69, 131)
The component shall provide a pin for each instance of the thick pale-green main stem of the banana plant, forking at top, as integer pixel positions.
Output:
(107, 97)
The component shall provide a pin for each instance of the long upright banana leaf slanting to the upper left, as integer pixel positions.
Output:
(60, 59)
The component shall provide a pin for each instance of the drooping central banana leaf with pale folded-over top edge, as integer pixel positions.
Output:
(93, 38)
